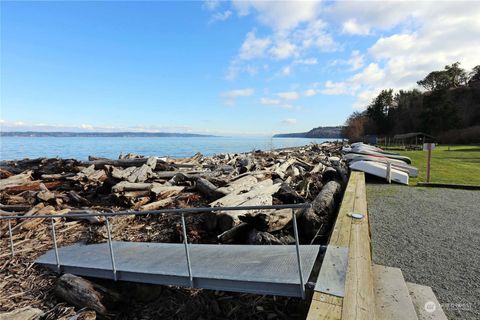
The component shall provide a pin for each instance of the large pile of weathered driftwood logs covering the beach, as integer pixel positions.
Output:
(313, 173)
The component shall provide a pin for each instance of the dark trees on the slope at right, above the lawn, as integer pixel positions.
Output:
(448, 107)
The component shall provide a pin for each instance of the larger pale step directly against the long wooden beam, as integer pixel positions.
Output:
(392, 298)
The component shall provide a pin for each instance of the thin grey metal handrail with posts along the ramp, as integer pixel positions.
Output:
(181, 212)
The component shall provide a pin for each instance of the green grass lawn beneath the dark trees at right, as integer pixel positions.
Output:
(460, 164)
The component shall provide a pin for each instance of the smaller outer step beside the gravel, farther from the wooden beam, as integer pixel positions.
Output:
(421, 295)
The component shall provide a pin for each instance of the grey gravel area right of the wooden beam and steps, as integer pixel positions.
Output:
(433, 235)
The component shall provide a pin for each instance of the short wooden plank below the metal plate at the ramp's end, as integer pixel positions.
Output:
(325, 306)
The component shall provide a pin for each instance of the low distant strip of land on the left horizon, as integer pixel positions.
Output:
(99, 134)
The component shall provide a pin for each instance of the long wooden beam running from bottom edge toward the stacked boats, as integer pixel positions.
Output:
(359, 301)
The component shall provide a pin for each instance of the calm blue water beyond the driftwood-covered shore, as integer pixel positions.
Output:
(80, 147)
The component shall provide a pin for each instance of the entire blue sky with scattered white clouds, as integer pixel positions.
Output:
(230, 67)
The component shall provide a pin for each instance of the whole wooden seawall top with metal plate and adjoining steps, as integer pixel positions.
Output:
(370, 291)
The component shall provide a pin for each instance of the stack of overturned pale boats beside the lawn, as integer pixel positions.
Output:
(377, 162)
